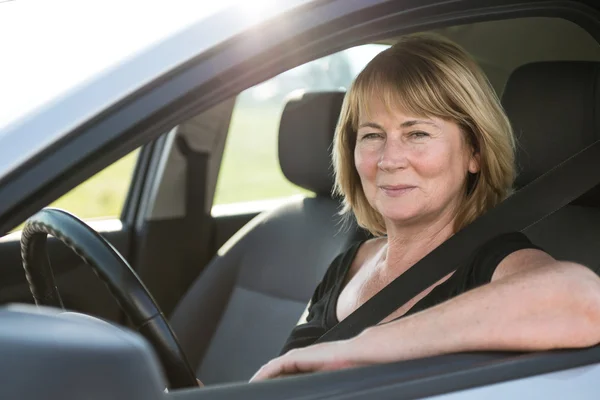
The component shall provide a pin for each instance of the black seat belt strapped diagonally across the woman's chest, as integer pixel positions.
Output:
(542, 197)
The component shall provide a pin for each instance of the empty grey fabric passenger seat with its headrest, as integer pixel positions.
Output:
(239, 312)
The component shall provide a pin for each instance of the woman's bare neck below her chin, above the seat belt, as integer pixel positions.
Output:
(407, 244)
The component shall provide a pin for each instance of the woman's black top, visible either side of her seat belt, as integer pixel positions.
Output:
(477, 271)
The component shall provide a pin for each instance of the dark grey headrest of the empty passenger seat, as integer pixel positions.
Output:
(305, 139)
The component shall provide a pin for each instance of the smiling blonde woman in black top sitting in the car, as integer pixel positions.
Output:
(423, 148)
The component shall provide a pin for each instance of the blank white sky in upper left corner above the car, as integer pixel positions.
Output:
(49, 47)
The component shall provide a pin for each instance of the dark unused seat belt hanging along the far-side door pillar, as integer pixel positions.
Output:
(200, 225)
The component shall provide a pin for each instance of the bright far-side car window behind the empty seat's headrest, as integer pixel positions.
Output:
(250, 168)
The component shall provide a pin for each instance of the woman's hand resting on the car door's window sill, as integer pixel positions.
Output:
(320, 357)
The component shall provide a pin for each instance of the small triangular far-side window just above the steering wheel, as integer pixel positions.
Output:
(103, 195)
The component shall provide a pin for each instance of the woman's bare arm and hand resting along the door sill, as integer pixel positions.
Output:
(533, 303)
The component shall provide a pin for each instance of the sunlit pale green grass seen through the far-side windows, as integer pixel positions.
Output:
(249, 170)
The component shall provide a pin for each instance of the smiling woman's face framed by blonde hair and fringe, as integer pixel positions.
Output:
(412, 169)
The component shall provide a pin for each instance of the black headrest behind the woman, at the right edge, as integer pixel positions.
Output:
(554, 108)
